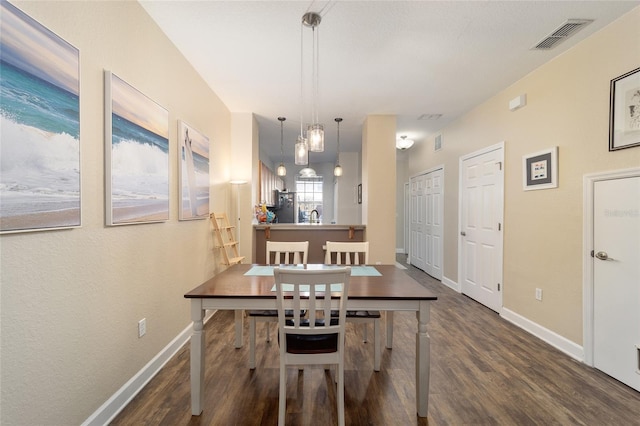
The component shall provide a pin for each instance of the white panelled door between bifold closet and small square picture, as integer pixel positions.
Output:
(481, 212)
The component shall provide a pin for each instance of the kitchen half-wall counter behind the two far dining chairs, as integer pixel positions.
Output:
(316, 233)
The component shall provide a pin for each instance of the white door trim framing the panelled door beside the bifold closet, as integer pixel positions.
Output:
(499, 146)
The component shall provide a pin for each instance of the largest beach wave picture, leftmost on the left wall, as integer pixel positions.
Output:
(39, 128)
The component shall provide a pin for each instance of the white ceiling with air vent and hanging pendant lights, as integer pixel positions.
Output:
(412, 59)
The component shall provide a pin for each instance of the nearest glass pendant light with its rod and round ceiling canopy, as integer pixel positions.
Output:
(315, 130)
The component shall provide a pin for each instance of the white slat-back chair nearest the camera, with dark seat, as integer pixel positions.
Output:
(312, 340)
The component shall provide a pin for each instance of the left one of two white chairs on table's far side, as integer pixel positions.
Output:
(278, 253)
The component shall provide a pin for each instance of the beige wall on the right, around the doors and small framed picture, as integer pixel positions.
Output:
(567, 106)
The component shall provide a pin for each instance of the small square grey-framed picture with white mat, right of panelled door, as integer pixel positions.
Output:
(540, 170)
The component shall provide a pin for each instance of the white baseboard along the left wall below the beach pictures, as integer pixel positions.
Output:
(110, 409)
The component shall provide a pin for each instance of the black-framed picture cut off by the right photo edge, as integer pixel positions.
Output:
(624, 111)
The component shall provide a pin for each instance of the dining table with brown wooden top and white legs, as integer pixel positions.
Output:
(372, 287)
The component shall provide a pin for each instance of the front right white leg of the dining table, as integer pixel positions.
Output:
(422, 360)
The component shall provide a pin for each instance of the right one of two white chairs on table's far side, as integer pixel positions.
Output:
(357, 253)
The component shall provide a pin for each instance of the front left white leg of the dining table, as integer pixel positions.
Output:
(197, 357)
